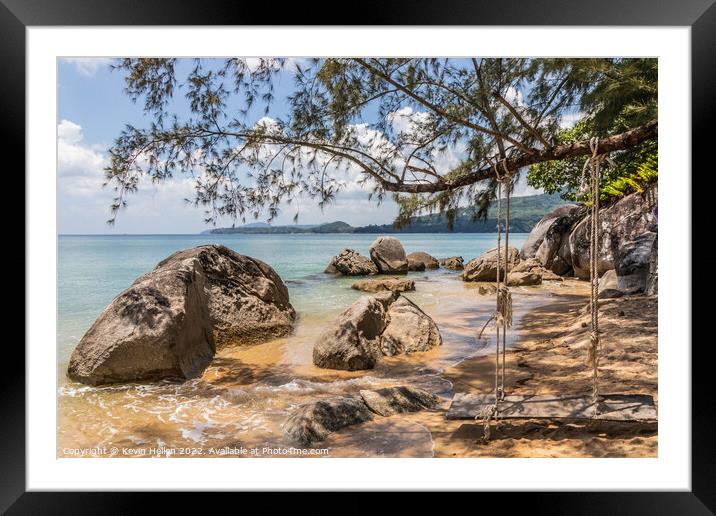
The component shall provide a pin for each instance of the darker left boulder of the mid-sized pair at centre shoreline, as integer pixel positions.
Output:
(352, 342)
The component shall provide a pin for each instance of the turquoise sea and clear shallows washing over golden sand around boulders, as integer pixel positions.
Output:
(241, 400)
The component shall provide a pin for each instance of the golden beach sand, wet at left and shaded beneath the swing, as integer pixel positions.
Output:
(245, 395)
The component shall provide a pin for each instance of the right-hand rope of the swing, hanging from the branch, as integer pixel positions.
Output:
(594, 163)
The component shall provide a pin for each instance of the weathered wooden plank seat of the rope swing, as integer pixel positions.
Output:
(613, 407)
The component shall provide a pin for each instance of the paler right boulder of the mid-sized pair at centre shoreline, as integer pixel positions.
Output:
(409, 329)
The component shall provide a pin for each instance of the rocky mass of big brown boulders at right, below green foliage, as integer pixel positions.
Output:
(560, 241)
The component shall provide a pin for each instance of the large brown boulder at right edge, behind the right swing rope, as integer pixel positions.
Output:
(619, 223)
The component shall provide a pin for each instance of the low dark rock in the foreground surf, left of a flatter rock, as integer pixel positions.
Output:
(314, 421)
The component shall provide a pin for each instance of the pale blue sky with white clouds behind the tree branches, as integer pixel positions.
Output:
(93, 109)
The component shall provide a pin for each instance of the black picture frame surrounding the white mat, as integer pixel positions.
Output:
(700, 15)
